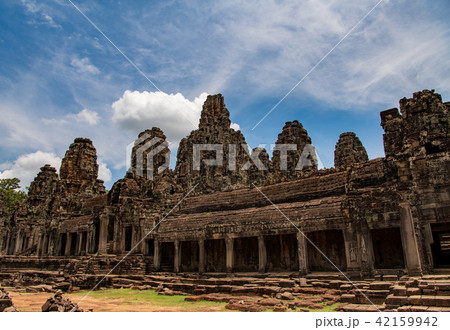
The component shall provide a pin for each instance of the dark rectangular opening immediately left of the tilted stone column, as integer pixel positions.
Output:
(387, 248)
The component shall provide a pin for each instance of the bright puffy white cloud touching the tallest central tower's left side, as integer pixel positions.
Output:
(173, 113)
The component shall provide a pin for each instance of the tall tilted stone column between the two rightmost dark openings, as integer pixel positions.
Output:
(409, 240)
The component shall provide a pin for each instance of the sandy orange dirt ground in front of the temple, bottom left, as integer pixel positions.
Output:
(32, 302)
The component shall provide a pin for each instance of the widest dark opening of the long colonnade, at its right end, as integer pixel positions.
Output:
(331, 243)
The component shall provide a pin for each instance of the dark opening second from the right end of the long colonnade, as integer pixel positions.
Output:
(282, 254)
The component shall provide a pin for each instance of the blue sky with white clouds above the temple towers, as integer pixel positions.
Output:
(60, 78)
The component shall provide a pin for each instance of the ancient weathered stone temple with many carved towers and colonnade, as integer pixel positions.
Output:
(378, 216)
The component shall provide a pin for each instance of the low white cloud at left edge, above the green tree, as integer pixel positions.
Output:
(27, 166)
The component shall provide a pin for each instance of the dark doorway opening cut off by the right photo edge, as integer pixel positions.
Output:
(441, 245)
